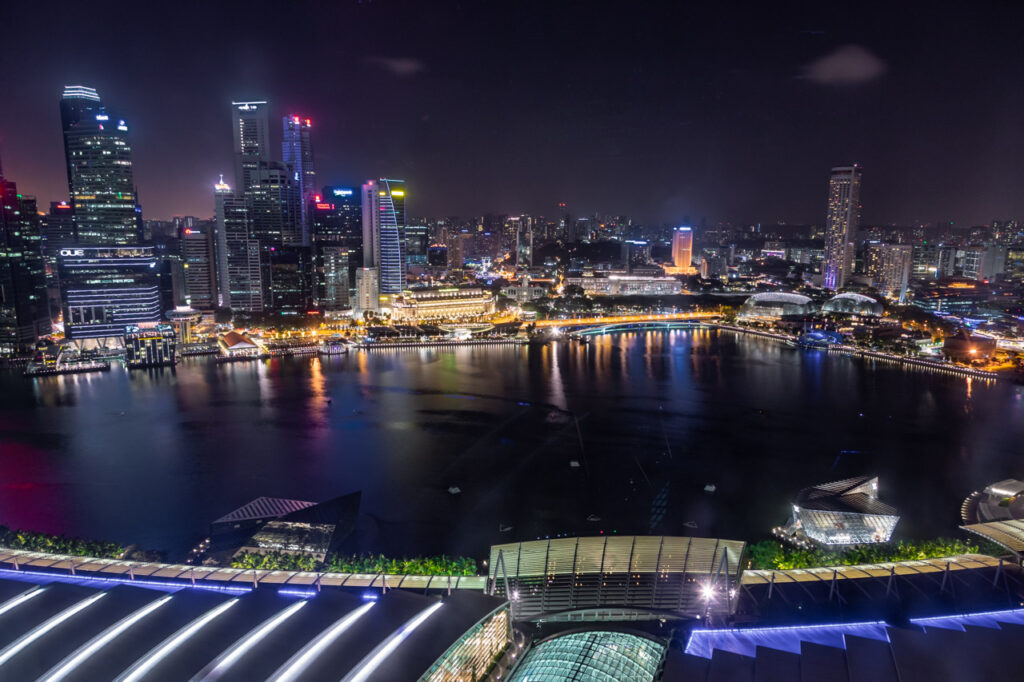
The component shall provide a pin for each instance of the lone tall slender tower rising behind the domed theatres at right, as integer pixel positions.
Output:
(841, 224)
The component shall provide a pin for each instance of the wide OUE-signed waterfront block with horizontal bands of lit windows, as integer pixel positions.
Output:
(108, 289)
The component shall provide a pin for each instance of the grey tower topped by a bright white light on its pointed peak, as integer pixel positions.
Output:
(238, 253)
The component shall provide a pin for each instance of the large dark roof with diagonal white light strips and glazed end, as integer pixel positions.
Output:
(63, 631)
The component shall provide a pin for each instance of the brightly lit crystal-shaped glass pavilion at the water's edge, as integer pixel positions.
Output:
(843, 513)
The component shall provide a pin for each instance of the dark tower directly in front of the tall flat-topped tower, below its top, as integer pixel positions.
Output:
(273, 199)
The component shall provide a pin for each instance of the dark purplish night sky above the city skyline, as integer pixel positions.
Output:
(703, 111)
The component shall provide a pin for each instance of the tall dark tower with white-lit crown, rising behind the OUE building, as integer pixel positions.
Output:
(100, 172)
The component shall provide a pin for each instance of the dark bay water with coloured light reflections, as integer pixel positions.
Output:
(651, 418)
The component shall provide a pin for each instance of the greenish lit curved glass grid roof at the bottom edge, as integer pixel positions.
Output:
(598, 656)
